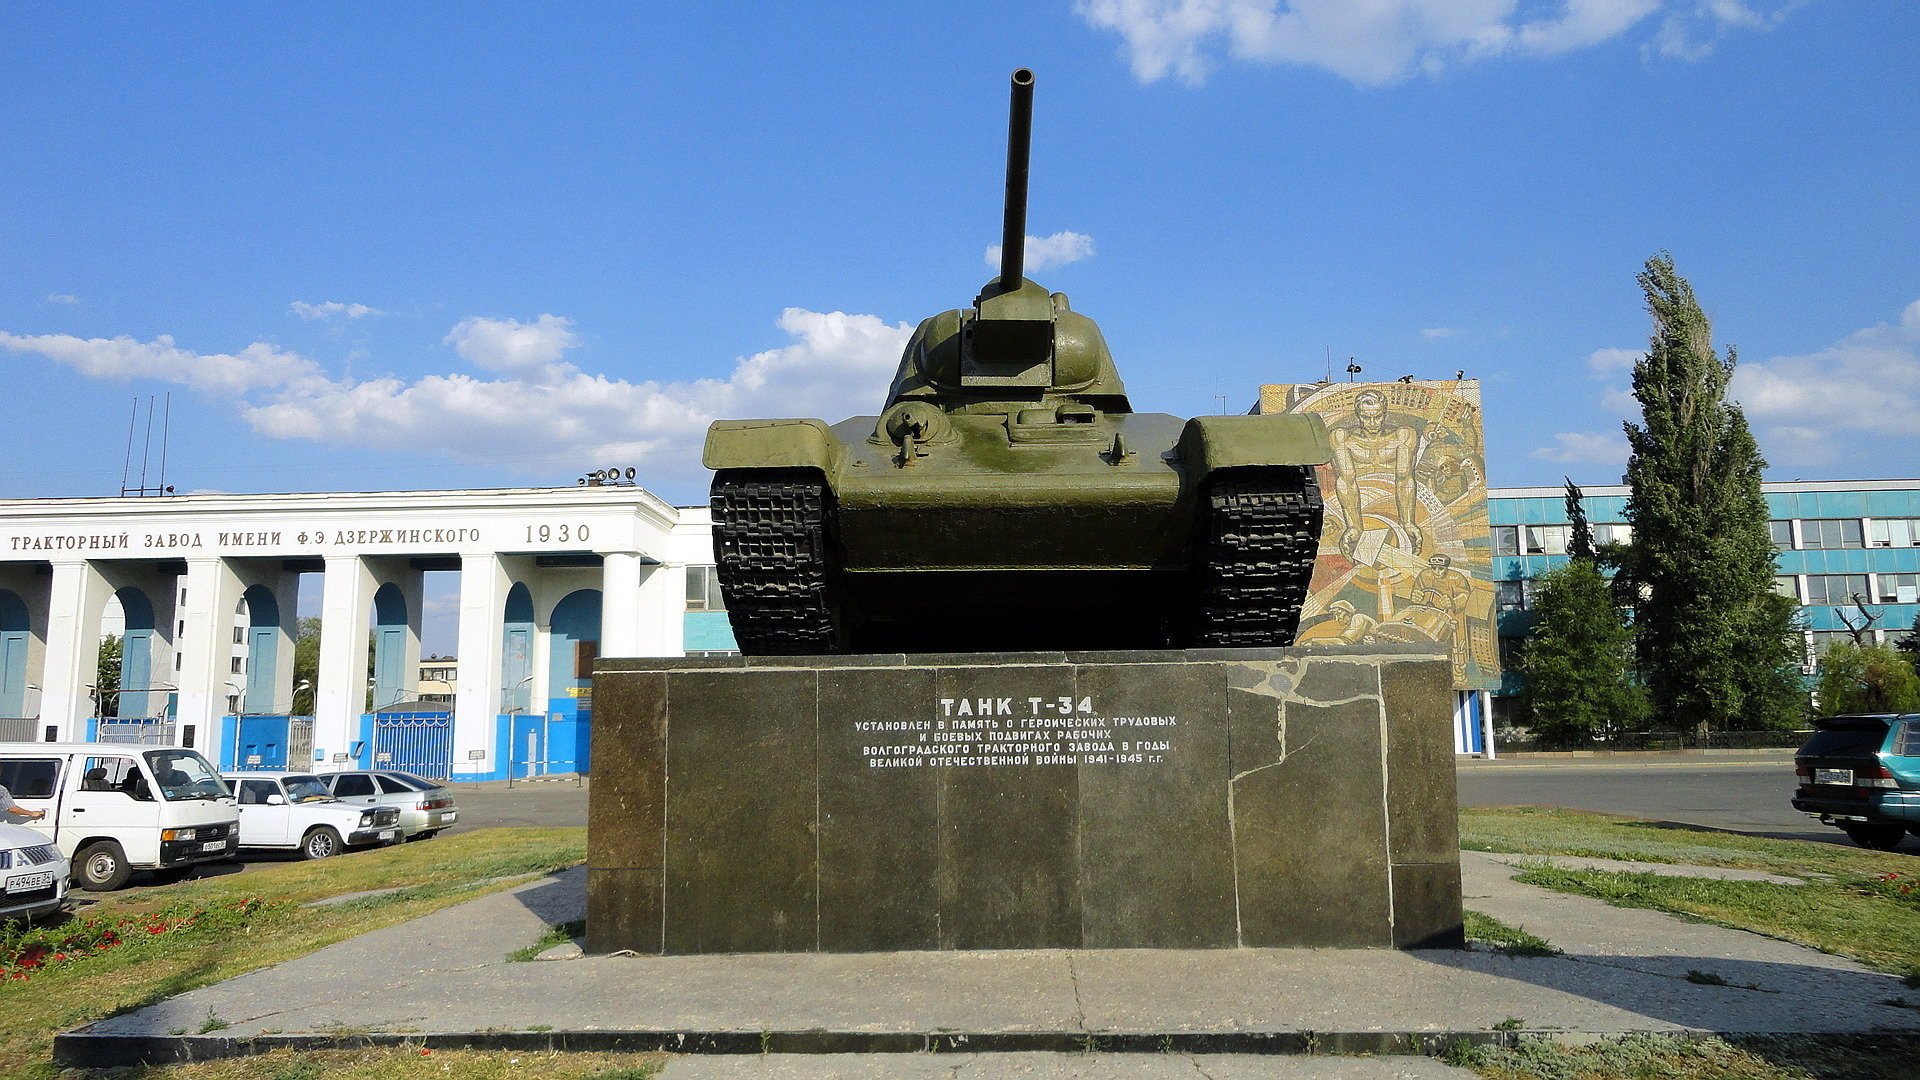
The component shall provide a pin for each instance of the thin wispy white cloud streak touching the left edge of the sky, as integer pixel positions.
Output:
(256, 368)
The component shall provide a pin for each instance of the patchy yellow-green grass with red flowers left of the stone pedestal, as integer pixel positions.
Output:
(199, 933)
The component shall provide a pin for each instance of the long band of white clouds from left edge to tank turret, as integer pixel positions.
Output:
(832, 366)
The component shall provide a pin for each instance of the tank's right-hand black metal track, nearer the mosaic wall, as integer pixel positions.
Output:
(1257, 558)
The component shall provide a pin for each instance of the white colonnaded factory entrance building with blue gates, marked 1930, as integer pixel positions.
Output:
(548, 579)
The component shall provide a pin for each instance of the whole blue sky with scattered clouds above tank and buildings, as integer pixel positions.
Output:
(494, 247)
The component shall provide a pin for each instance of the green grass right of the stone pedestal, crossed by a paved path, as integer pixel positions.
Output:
(1856, 904)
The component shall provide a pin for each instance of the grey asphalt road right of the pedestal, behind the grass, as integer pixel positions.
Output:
(1740, 797)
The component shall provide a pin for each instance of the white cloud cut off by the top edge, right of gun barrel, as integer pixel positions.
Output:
(1385, 41)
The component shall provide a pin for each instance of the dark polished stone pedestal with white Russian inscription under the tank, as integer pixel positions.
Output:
(1207, 798)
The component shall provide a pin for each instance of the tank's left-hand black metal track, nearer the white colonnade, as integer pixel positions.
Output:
(771, 543)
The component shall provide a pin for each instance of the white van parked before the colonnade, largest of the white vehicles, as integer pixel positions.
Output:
(116, 808)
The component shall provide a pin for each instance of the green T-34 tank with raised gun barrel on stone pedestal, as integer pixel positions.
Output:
(1011, 499)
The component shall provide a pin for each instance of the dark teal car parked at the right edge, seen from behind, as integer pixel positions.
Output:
(1863, 775)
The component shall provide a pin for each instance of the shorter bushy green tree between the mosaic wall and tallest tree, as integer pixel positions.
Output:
(1579, 660)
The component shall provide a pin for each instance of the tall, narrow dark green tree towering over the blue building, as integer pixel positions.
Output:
(1717, 647)
